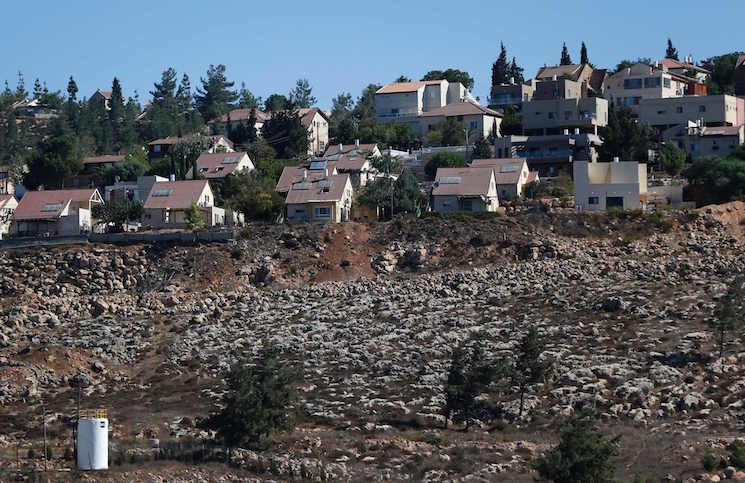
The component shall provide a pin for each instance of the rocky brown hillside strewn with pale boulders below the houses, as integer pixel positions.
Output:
(373, 312)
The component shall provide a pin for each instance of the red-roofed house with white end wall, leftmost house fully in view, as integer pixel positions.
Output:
(55, 212)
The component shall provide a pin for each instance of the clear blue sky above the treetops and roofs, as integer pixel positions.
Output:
(340, 45)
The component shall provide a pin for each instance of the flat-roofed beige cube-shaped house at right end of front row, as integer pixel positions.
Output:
(599, 186)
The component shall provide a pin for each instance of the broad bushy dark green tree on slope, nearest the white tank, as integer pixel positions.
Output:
(260, 399)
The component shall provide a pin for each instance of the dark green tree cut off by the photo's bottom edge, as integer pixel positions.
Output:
(582, 455)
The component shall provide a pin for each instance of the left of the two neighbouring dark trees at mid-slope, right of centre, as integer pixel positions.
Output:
(469, 376)
